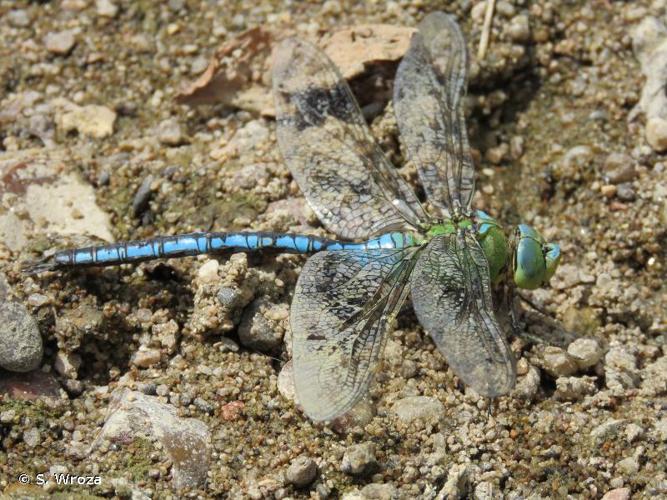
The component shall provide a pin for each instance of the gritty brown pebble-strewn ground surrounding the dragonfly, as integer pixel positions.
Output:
(171, 379)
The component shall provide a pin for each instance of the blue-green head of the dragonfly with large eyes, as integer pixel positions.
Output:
(535, 261)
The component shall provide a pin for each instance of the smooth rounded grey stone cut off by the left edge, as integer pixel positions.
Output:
(21, 348)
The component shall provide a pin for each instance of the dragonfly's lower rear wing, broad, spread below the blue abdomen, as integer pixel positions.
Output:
(342, 306)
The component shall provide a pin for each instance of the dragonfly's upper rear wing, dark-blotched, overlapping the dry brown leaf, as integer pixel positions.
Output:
(330, 151)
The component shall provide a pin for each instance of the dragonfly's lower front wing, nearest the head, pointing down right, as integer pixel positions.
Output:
(451, 295)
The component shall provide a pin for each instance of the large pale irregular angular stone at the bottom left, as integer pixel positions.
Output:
(133, 415)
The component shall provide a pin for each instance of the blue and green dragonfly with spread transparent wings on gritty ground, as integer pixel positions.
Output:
(448, 257)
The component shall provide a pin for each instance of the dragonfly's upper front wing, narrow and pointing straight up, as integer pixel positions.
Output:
(428, 96)
